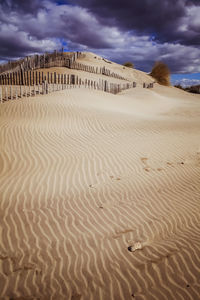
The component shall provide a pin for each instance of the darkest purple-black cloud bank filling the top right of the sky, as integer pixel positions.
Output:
(162, 19)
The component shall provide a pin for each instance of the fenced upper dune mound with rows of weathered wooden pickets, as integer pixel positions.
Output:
(51, 72)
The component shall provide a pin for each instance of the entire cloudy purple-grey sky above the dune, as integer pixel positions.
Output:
(141, 31)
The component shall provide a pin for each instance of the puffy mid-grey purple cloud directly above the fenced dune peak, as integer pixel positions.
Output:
(66, 22)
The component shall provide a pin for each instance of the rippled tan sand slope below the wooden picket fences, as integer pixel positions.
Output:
(86, 174)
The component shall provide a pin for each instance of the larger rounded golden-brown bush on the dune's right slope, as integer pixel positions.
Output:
(161, 73)
